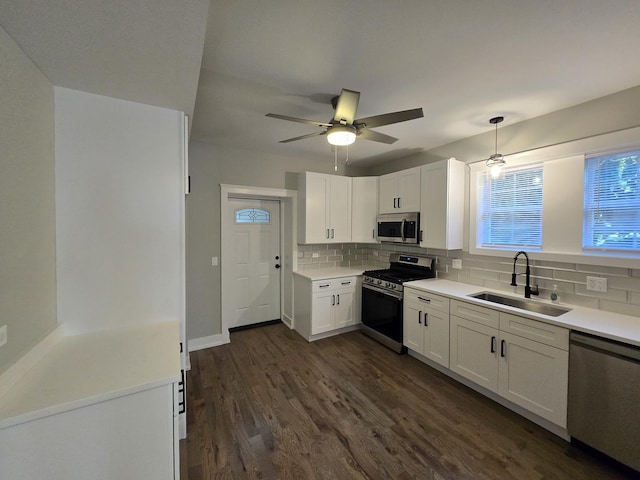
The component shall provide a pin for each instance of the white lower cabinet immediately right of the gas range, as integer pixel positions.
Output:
(426, 325)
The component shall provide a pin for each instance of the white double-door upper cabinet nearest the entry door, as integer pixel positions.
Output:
(324, 208)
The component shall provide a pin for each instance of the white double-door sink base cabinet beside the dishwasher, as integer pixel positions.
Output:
(523, 360)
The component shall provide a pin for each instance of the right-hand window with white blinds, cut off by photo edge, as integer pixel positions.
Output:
(612, 202)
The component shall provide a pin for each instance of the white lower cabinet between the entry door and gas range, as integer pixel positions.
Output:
(324, 306)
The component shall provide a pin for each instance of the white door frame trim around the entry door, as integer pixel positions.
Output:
(288, 248)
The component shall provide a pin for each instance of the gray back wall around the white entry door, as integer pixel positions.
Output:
(210, 166)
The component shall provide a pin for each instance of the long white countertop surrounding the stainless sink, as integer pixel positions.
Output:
(624, 328)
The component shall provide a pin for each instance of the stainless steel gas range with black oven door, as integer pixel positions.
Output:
(382, 297)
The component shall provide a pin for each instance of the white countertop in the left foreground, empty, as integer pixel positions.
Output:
(86, 369)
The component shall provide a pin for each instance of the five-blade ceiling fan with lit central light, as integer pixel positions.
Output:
(344, 127)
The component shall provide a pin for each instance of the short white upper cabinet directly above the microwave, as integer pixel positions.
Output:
(400, 191)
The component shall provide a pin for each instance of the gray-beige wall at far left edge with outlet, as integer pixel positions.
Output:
(27, 215)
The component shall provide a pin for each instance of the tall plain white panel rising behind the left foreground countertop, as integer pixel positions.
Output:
(119, 204)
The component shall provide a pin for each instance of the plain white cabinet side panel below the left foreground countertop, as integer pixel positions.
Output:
(128, 437)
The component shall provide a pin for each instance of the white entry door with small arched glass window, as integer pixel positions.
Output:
(254, 239)
